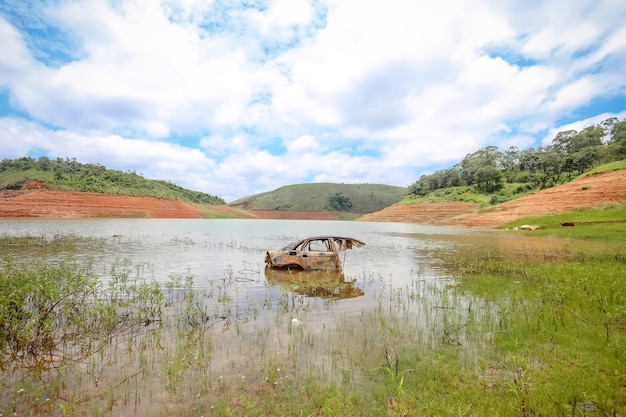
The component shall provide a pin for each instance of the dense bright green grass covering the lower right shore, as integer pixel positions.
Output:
(561, 327)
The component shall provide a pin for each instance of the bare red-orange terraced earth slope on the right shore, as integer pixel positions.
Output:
(595, 190)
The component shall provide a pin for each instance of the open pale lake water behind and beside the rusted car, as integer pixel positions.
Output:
(210, 250)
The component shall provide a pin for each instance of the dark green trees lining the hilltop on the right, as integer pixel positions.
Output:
(570, 154)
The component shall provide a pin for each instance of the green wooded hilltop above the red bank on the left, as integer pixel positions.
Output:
(68, 174)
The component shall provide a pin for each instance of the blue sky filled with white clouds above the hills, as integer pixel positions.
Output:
(238, 97)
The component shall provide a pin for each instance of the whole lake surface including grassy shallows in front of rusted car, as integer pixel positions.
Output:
(247, 333)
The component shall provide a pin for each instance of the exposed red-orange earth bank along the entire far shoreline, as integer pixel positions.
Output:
(35, 201)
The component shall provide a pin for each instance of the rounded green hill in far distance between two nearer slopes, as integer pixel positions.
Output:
(354, 198)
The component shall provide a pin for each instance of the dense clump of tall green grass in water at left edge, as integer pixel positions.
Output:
(44, 319)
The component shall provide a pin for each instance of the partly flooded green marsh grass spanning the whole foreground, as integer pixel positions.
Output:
(508, 330)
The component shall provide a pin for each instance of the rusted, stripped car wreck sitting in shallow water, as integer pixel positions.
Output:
(312, 254)
